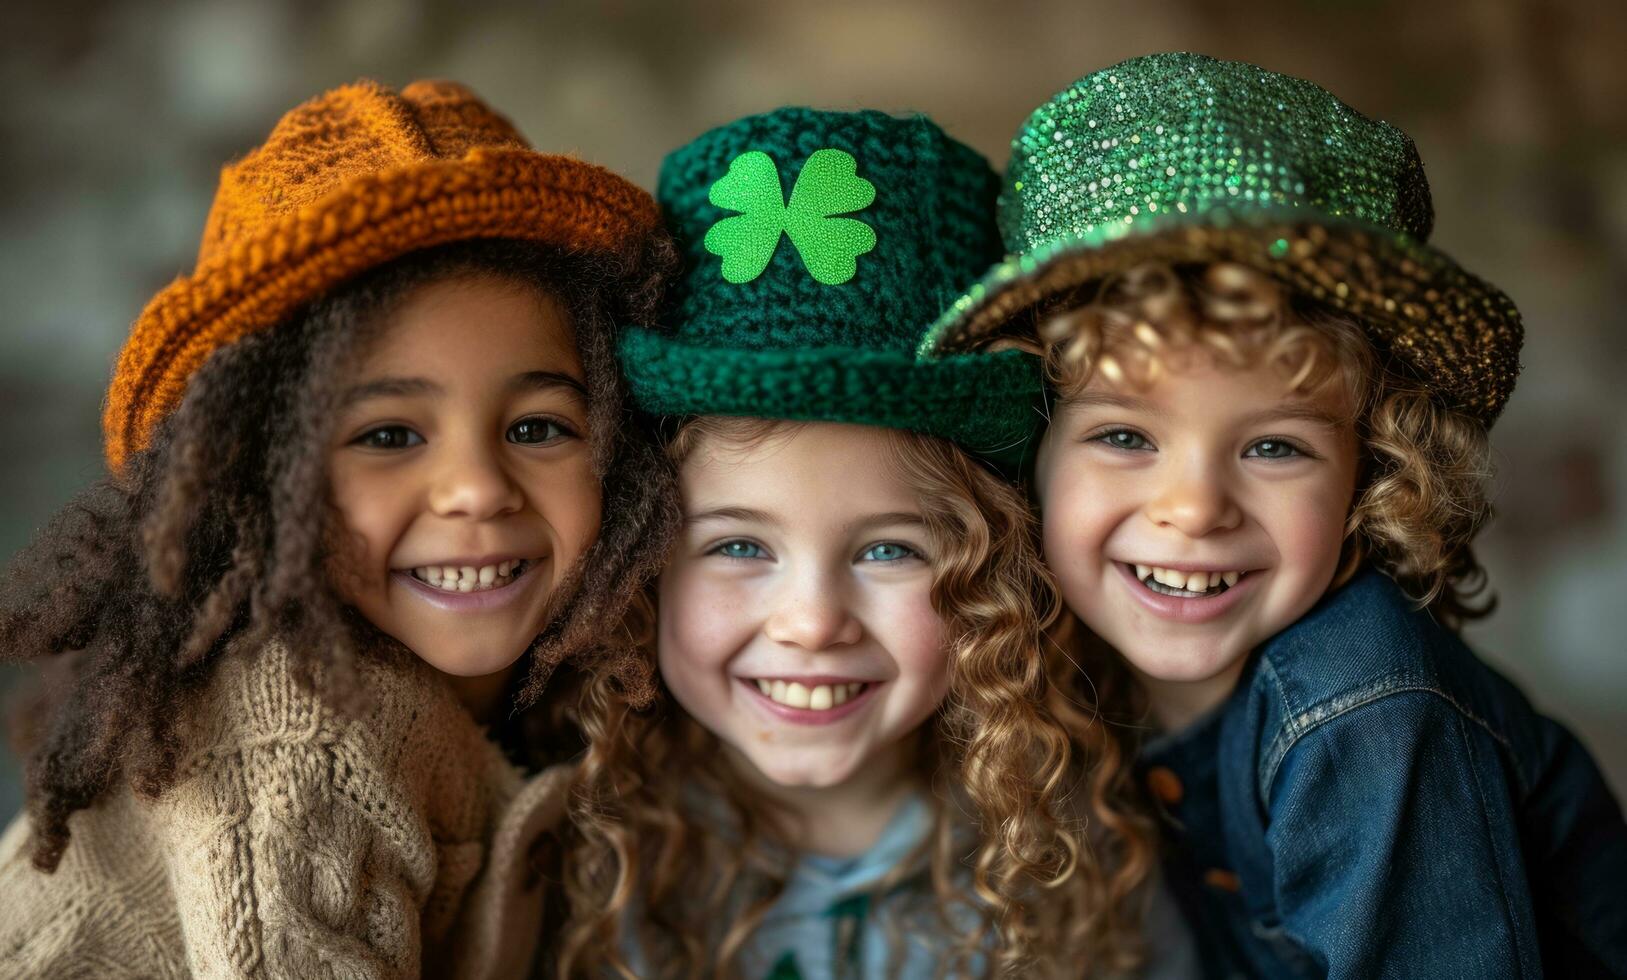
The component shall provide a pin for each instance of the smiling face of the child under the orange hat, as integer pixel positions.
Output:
(461, 473)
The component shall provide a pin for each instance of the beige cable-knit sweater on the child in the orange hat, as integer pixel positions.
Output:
(297, 844)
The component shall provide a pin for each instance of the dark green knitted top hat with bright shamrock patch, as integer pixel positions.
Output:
(818, 250)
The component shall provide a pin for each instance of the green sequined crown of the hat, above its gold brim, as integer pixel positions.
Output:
(1182, 133)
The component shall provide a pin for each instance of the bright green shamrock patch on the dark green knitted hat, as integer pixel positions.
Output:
(829, 185)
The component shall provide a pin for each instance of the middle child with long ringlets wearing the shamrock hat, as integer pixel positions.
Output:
(865, 769)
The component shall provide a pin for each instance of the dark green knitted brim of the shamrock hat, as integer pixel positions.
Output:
(984, 403)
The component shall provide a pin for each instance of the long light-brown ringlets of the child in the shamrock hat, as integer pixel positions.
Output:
(1057, 860)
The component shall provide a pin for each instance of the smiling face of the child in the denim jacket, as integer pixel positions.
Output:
(1197, 517)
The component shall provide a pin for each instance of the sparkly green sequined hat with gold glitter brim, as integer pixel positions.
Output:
(1185, 159)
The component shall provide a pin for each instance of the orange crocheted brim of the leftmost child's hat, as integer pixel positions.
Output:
(370, 221)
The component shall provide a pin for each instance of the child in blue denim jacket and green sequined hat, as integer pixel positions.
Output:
(1260, 484)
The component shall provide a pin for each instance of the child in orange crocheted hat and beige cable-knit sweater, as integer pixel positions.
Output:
(370, 486)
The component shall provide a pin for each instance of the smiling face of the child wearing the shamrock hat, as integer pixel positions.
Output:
(796, 616)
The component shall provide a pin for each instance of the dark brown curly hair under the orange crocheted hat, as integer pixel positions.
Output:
(207, 538)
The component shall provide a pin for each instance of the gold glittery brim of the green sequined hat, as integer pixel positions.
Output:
(1454, 333)
